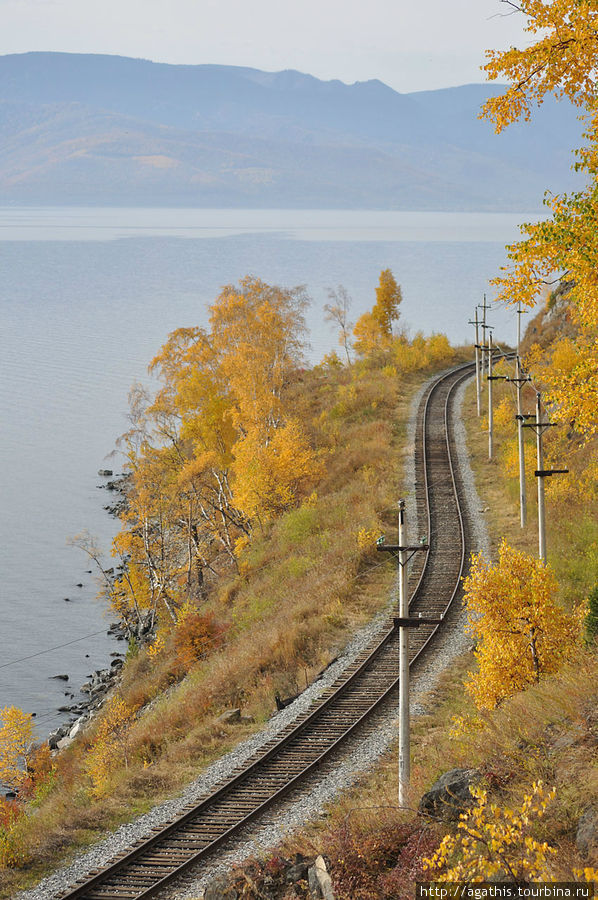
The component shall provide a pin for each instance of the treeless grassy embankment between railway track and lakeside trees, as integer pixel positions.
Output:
(304, 587)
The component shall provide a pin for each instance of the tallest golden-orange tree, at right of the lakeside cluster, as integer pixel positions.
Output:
(258, 331)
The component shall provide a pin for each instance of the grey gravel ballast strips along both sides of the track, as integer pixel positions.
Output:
(450, 644)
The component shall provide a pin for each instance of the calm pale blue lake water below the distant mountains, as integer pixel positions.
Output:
(88, 297)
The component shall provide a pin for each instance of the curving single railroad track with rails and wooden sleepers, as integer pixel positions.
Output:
(313, 739)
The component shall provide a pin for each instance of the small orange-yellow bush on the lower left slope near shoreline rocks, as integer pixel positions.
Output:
(110, 747)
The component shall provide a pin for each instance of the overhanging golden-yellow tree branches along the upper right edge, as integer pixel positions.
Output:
(561, 58)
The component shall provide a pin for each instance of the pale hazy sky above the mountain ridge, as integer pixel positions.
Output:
(409, 44)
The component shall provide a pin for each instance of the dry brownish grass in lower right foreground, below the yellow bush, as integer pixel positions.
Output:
(550, 732)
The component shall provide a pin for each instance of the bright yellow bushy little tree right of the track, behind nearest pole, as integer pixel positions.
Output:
(520, 630)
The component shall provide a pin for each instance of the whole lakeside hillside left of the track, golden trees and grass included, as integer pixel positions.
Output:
(245, 561)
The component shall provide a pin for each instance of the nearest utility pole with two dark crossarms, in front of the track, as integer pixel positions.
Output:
(403, 553)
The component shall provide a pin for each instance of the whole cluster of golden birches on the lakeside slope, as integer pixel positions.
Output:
(214, 451)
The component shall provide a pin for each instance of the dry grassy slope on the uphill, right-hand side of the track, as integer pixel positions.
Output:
(548, 732)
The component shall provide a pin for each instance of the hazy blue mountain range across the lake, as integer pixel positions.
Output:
(108, 130)
